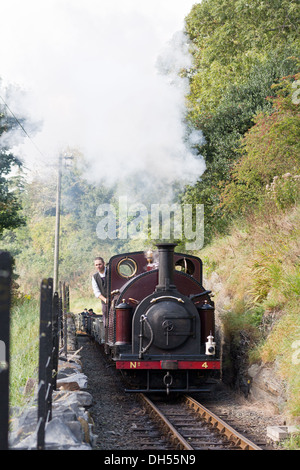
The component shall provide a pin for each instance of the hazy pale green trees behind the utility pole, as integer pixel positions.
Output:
(33, 245)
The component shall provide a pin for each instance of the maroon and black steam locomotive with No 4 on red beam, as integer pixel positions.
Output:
(160, 324)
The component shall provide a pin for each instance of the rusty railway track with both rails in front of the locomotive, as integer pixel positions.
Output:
(191, 426)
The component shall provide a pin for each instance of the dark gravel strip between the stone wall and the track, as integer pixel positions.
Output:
(120, 421)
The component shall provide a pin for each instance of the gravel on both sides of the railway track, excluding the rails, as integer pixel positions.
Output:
(118, 415)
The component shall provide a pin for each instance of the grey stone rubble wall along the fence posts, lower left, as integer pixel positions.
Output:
(71, 426)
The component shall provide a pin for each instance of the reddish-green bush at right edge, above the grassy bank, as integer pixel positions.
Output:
(270, 149)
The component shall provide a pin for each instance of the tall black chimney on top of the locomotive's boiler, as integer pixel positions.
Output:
(166, 266)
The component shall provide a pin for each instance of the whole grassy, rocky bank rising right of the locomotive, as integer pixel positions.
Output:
(254, 273)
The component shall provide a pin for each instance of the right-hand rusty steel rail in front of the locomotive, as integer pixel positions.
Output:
(223, 427)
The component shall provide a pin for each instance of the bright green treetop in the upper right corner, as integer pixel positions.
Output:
(229, 37)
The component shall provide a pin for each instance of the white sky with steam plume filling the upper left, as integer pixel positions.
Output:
(87, 75)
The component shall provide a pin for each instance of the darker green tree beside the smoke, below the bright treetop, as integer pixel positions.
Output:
(223, 131)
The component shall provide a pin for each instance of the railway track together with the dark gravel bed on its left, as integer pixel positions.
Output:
(121, 423)
